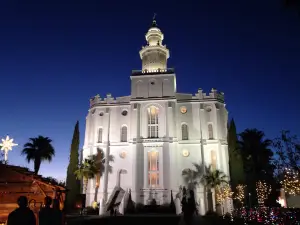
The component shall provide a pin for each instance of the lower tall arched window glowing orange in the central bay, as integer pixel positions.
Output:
(153, 169)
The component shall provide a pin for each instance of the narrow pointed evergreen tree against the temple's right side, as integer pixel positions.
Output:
(236, 169)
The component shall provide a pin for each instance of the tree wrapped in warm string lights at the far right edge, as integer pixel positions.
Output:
(291, 182)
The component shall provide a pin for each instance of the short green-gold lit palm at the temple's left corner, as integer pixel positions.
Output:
(86, 170)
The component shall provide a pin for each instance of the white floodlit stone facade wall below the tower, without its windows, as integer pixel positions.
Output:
(169, 144)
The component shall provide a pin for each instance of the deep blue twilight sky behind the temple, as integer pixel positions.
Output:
(55, 55)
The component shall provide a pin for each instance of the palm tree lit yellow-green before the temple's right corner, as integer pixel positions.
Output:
(214, 179)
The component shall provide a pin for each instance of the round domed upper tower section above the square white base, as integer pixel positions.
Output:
(154, 55)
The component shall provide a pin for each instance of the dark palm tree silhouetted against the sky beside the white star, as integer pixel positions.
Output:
(38, 150)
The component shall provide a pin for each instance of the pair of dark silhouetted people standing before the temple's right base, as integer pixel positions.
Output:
(188, 206)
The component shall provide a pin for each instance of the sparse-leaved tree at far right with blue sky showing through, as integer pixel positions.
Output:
(287, 150)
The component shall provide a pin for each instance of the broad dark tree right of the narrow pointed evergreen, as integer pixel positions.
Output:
(257, 158)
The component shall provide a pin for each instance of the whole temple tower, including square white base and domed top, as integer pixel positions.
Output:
(155, 79)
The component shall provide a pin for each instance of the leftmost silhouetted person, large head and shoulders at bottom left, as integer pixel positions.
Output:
(22, 215)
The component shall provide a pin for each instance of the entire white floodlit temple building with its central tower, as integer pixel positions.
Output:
(155, 132)
